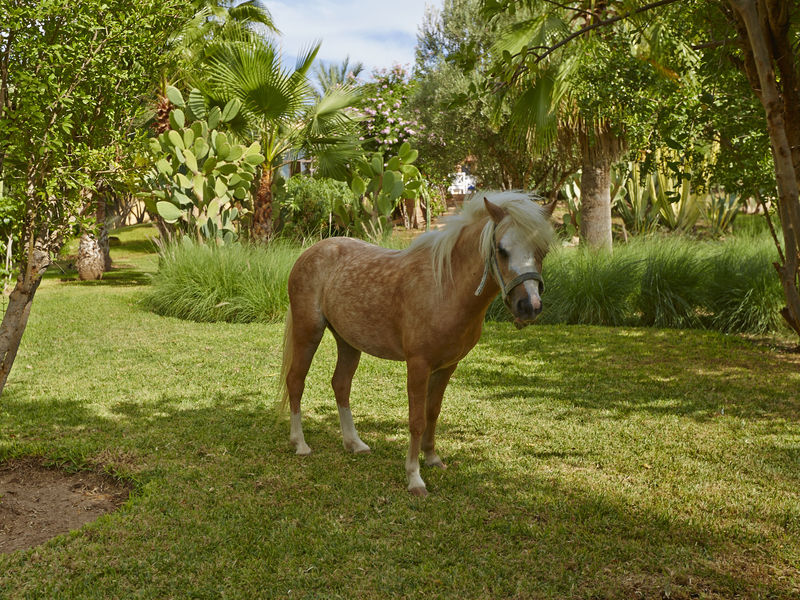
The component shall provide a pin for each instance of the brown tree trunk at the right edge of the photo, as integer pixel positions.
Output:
(766, 28)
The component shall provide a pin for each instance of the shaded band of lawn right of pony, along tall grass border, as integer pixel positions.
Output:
(684, 373)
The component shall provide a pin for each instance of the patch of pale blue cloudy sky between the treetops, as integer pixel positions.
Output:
(375, 32)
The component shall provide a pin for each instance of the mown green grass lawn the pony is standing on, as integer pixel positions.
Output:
(585, 462)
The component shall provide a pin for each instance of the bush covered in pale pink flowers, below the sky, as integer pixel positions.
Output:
(388, 120)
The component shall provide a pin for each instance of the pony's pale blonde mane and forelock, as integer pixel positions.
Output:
(523, 212)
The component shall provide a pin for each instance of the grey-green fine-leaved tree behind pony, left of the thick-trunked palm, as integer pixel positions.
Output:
(462, 120)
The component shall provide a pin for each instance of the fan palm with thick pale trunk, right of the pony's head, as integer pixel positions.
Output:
(598, 89)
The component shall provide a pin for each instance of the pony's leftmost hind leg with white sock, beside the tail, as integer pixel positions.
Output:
(306, 335)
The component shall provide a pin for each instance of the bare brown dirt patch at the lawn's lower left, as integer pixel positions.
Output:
(38, 503)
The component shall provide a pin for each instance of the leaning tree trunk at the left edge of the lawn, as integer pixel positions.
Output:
(19, 309)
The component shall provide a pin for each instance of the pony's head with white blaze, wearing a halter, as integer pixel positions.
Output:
(514, 242)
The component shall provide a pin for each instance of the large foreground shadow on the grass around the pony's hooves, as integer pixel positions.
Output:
(221, 468)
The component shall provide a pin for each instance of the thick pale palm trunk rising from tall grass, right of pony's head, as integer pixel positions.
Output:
(599, 149)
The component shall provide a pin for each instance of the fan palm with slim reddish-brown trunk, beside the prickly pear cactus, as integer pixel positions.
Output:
(281, 111)
